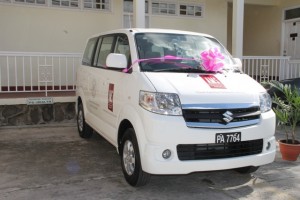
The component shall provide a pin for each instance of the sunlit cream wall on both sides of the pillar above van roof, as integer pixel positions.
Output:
(49, 29)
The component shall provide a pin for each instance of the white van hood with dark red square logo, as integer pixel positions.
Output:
(195, 88)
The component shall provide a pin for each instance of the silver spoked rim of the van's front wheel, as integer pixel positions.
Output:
(129, 157)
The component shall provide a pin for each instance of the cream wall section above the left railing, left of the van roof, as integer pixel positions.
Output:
(47, 29)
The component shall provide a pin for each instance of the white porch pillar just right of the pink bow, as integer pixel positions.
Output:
(237, 28)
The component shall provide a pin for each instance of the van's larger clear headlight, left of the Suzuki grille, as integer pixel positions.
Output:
(160, 103)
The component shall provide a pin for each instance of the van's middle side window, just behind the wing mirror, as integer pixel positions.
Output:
(105, 49)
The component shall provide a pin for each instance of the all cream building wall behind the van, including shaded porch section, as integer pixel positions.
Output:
(48, 29)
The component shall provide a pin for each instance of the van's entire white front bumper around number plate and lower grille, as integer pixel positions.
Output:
(166, 132)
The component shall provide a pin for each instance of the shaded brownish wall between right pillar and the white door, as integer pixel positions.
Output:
(262, 32)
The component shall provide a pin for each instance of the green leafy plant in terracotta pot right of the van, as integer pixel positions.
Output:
(287, 110)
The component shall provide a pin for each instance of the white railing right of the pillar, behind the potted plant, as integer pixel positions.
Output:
(266, 68)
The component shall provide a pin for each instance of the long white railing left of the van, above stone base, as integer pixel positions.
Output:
(38, 72)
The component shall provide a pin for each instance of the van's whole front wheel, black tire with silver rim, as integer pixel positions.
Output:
(131, 162)
